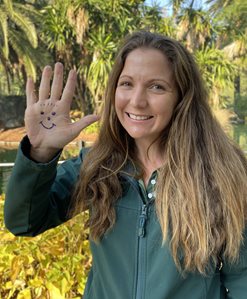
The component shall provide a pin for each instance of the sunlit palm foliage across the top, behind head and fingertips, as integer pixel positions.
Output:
(84, 35)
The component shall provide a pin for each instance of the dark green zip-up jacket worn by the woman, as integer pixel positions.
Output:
(130, 261)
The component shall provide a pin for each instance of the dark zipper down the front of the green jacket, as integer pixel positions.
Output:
(141, 252)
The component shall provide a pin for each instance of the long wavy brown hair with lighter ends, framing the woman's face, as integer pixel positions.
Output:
(201, 196)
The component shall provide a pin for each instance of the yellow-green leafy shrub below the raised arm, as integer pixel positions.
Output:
(53, 265)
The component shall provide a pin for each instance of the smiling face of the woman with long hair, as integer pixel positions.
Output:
(146, 94)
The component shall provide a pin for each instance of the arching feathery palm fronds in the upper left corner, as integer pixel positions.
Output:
(19, 41)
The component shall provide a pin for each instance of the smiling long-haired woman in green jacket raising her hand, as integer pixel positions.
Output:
(165, 187)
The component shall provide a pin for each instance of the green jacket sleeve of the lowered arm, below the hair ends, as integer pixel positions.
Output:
(234, 276)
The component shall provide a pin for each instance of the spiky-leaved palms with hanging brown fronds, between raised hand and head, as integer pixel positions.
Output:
(84, 35)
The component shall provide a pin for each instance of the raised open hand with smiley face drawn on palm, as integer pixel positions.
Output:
(47, 118)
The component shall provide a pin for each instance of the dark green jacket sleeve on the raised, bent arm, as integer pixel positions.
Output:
(38, 194)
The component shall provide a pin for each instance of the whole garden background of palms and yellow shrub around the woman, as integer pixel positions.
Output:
(84, 35)
